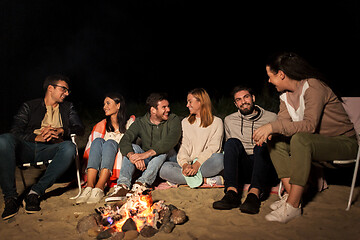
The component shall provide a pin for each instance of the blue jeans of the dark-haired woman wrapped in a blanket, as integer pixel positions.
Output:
(102, 154)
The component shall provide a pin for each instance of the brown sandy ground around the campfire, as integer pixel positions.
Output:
(324, 216)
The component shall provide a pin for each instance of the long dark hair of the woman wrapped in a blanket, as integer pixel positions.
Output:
(122, 114)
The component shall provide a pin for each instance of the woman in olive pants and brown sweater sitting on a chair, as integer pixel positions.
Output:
(312, 125)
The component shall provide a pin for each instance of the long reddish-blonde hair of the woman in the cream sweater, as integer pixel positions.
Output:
(206, 115)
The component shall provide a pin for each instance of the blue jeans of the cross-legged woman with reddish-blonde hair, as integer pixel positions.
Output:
(172, 172)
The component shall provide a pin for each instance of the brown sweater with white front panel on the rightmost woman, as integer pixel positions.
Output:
(320, 111)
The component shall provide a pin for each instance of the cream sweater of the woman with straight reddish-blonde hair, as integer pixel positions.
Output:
(198, 142)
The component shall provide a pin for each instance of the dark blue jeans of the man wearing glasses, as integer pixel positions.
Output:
(15, 151)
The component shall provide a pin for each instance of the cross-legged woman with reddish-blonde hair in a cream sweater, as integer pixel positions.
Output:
(199, 159)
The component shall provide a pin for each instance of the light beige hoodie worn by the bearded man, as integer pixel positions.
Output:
(242, 126)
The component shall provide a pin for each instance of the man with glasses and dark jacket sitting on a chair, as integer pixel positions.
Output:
(40, 131)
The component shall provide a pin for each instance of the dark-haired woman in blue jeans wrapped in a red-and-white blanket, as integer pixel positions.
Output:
(102, 147)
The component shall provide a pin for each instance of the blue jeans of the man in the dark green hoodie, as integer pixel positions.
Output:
(148, 176)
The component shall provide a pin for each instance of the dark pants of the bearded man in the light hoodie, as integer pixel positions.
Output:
(240, 168)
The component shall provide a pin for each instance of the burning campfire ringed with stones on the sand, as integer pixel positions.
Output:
(137, 214)
